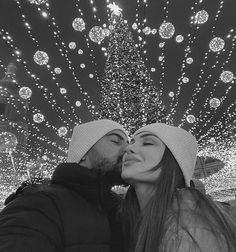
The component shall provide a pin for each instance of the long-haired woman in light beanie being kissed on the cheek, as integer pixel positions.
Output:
(161, 211)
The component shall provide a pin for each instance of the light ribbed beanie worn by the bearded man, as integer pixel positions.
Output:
(86, 135)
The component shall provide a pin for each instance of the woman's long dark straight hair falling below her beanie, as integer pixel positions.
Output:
(144, 232)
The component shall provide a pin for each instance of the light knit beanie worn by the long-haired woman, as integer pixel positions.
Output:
(181, 143)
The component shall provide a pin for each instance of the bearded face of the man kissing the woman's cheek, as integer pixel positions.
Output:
(107, 153)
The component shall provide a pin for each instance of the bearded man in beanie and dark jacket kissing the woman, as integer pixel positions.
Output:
(76, 212)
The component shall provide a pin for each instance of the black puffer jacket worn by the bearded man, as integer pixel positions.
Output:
(76, 213)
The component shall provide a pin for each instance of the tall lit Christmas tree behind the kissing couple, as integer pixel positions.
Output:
(128, 95)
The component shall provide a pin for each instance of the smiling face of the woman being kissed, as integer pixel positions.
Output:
(144, 152)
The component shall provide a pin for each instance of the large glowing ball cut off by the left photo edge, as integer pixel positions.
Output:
(8, 141)
